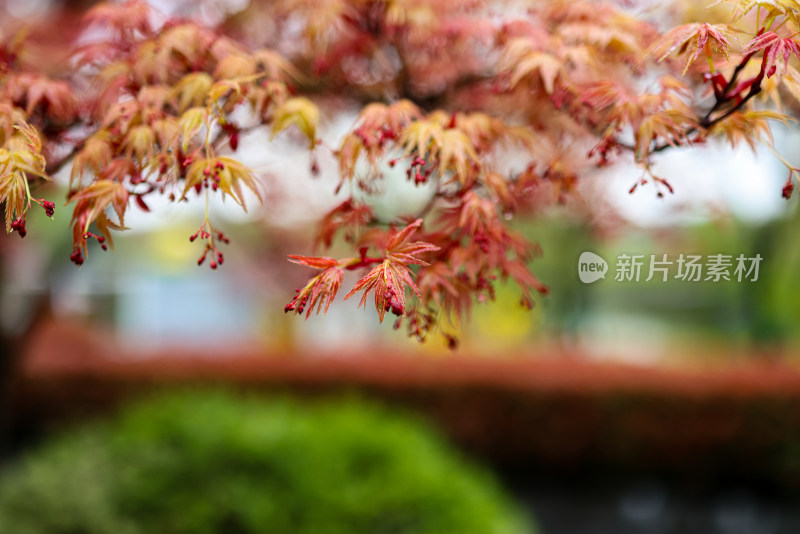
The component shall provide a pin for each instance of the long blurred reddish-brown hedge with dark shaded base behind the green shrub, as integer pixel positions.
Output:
(588, 448)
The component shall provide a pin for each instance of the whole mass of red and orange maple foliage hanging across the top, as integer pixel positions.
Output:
(448, 91)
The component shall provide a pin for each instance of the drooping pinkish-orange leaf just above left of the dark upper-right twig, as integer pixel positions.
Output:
(691, 40)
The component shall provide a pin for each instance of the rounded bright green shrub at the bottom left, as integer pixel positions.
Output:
(214, 462)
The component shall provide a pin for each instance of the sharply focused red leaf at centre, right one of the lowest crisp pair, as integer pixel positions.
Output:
(388, 279)
